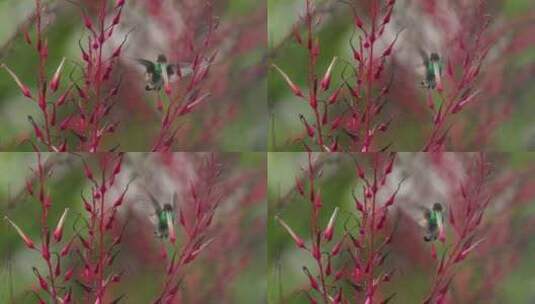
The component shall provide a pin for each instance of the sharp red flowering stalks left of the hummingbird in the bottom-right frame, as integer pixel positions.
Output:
(366, 243)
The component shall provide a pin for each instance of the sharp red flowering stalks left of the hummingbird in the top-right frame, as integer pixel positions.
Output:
(358, 118)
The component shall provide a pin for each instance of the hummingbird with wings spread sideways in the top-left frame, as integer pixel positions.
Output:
(157, 73)
